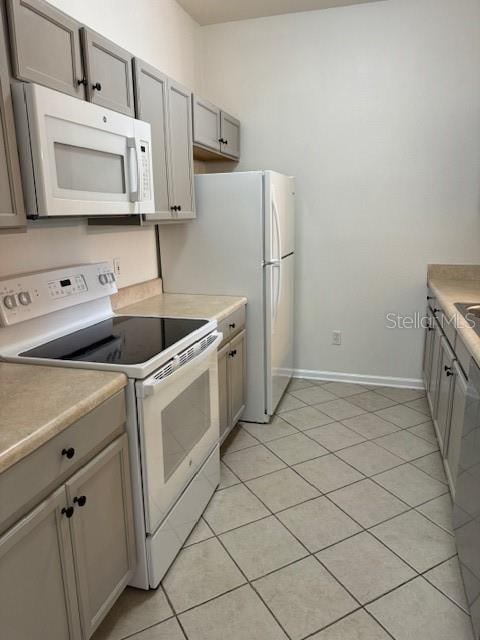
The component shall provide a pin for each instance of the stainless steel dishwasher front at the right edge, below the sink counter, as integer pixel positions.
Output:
(466, 514)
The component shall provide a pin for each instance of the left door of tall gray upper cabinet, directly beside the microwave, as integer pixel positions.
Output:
(151, 106)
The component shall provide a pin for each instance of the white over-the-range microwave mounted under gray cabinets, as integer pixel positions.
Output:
(79, 159)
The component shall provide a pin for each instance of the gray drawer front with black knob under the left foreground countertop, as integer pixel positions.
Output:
(26, 483)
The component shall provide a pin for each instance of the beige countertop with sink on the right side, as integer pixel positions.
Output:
(457, 283)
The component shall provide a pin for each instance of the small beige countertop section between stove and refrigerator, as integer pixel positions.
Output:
(185, 305)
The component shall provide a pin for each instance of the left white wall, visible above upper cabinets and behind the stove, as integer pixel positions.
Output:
(163, 34)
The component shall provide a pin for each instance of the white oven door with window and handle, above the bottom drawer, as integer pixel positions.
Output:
(179, 427)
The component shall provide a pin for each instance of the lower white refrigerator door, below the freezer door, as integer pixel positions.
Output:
(279, 286)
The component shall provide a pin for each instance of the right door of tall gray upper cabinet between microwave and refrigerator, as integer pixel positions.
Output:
(181, 149)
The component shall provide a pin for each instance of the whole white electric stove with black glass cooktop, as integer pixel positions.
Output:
(63, 317)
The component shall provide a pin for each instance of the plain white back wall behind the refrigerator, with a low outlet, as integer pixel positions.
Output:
(376, 109)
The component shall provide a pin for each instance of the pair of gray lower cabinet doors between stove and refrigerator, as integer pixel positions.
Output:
(231, 382)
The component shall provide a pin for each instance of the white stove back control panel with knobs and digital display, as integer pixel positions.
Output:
(32, 295)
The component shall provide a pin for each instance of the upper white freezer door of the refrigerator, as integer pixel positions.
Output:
(279, 216)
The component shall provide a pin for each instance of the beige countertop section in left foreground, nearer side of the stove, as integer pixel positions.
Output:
(38, 402)
